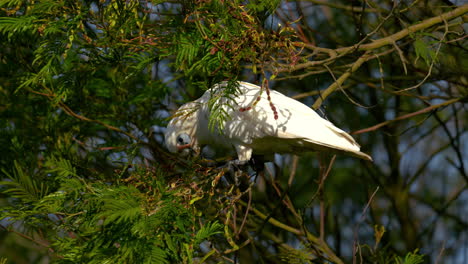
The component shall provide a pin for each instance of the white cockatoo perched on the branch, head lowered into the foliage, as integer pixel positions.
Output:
(256, 125)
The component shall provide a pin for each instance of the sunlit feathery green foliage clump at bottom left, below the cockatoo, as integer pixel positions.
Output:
(115, 222)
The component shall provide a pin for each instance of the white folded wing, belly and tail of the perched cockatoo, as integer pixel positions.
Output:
(297, 127)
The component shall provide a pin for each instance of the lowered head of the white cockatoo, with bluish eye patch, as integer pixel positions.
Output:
(180, 132)
